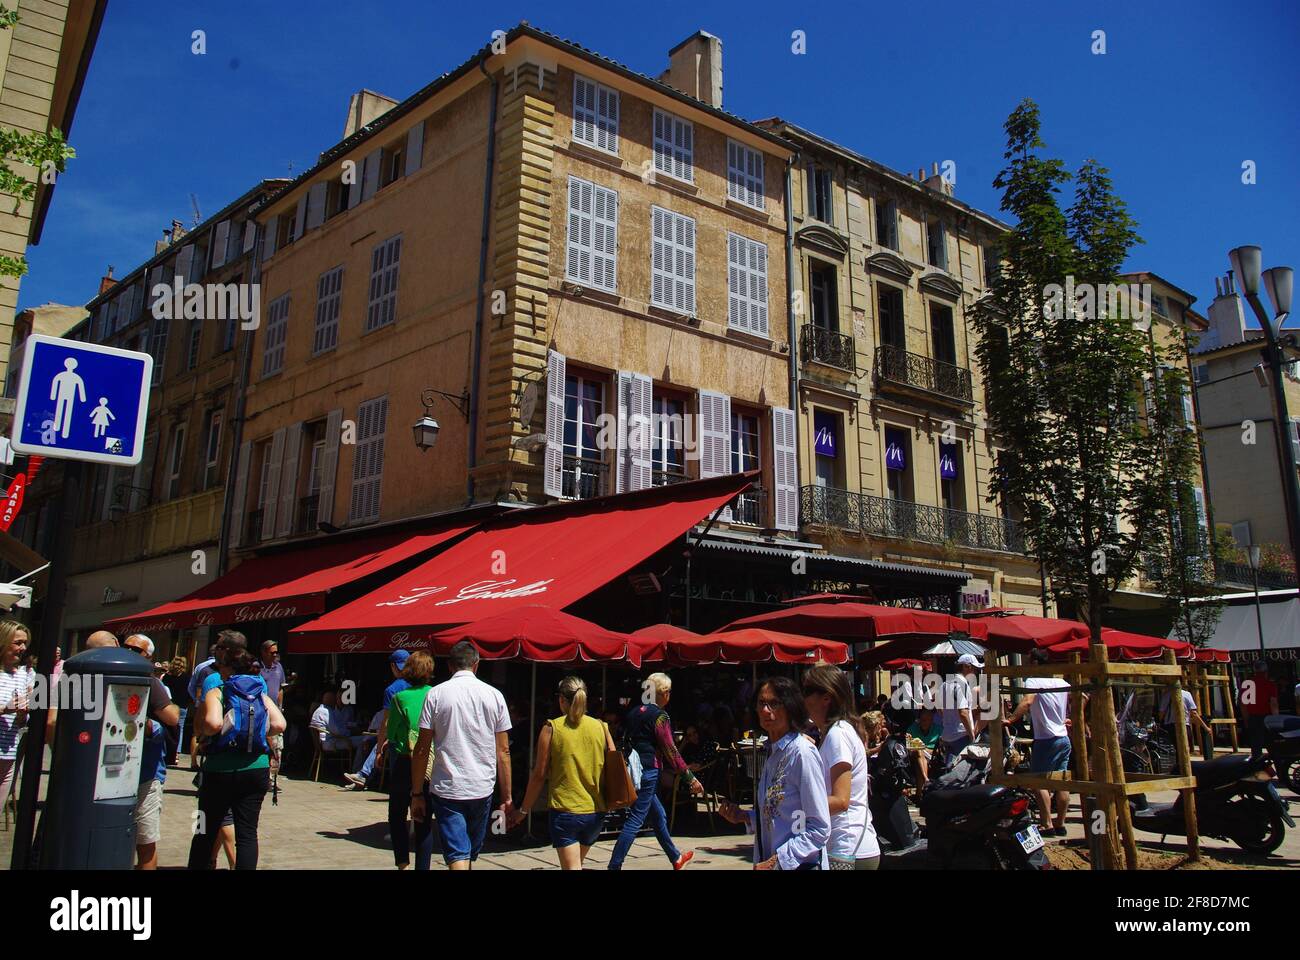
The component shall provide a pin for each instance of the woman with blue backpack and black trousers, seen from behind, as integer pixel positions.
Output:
(239, 719)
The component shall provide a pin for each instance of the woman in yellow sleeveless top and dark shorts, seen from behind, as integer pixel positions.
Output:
(571, 758)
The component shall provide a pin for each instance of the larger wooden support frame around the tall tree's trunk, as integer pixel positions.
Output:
(1100, 779)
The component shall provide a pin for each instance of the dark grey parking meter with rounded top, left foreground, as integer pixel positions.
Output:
(103, 704)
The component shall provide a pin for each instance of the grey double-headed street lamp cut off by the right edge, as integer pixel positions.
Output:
(1279, 283)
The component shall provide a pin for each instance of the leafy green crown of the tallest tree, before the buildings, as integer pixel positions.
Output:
(1064, 367)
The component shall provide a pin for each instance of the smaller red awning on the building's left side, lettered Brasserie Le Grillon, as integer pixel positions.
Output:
(285, 585)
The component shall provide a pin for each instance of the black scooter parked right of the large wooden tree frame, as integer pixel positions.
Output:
(1236, 801)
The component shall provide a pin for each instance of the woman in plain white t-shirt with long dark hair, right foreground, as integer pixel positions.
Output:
(829, 698)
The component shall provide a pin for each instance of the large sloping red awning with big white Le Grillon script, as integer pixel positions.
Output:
(552, 556)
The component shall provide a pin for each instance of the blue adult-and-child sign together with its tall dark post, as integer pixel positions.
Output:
(84, 404)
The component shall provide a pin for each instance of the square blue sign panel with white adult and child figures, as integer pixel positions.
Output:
(83, 401)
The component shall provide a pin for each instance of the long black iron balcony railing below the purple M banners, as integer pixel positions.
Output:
(882, 517)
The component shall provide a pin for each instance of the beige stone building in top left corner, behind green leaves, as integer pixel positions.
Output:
(44, 63)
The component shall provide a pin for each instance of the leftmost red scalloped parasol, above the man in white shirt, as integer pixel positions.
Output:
(540, 634)
